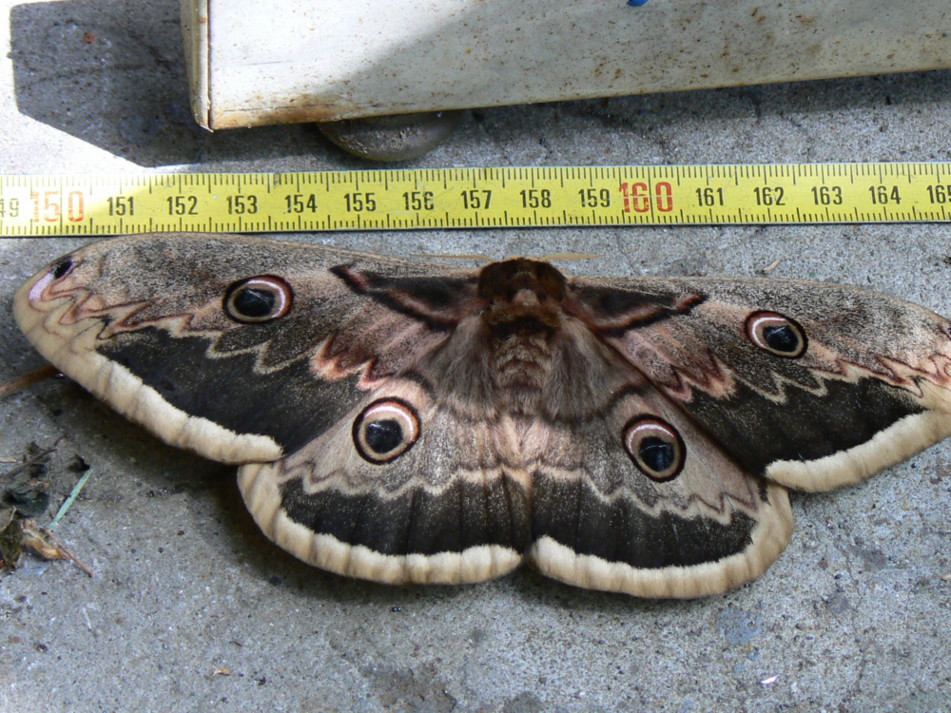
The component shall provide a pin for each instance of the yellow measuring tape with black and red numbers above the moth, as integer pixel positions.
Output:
(395, 199)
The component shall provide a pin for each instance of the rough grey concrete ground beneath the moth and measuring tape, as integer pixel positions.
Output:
(191, 609)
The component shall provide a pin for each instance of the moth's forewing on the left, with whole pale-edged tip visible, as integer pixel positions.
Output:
(143, 323)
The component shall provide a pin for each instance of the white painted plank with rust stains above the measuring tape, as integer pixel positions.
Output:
(286, 60)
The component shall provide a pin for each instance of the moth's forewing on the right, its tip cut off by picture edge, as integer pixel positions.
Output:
(870, 386)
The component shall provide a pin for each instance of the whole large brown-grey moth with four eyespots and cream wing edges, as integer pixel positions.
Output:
(403, 422)
